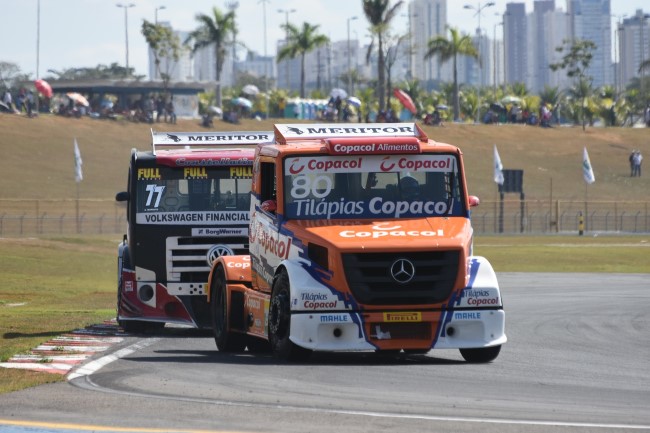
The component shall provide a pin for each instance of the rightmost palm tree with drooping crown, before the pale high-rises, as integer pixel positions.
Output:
(448, 49)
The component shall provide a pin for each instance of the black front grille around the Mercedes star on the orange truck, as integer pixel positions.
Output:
(369, 277)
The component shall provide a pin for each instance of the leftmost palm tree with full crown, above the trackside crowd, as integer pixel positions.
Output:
(214, 29)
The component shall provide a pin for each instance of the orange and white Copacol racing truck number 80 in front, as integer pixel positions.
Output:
(360, 239)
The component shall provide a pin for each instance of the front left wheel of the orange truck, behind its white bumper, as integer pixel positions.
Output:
(280, 323)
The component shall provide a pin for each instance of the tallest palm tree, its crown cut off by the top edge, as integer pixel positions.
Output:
(379, 14)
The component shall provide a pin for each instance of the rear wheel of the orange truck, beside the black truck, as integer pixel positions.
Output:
(226, 341)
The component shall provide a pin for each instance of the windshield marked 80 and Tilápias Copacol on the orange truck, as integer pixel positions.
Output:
(372, 186)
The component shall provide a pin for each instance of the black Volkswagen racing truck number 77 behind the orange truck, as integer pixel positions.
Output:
(187, 203)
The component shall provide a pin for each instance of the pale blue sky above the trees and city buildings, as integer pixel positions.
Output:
(85, 33)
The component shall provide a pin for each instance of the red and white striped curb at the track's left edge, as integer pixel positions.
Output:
(61, 354)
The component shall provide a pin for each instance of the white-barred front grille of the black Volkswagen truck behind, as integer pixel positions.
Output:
(187, 256)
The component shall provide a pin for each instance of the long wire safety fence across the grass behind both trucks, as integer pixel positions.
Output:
(20, 218)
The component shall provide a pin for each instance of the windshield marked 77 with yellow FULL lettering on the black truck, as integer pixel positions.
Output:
(199, 194)
